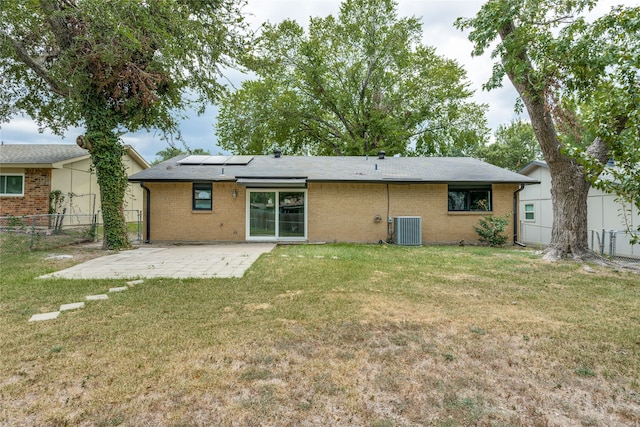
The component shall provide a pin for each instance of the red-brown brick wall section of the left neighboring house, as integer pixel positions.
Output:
(37, 186)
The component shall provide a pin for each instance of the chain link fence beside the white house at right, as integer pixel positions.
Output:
(614, 244)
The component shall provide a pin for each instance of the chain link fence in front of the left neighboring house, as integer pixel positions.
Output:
(42, 232)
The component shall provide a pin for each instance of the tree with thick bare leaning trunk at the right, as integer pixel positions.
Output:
(568, 71)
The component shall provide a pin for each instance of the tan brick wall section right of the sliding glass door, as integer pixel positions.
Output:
(347, 212)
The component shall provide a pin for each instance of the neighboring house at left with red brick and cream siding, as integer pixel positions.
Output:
(30, 172)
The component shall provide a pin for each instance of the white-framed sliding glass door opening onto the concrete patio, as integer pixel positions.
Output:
(276, 215)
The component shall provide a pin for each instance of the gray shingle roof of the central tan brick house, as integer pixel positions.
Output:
(337, 169)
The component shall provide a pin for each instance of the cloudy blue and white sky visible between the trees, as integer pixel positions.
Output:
(437, 17)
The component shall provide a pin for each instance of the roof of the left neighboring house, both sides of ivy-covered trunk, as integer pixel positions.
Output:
(53, 156)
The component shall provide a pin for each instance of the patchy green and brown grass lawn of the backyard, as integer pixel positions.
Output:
(328, 335)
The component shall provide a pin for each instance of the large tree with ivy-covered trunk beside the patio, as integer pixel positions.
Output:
(113, 66)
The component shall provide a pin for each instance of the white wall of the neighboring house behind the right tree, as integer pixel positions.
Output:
(603, 213)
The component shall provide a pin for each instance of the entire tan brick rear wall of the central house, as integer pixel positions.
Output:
(336, 212)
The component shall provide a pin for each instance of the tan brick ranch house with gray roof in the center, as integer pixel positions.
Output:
(408, 200)
